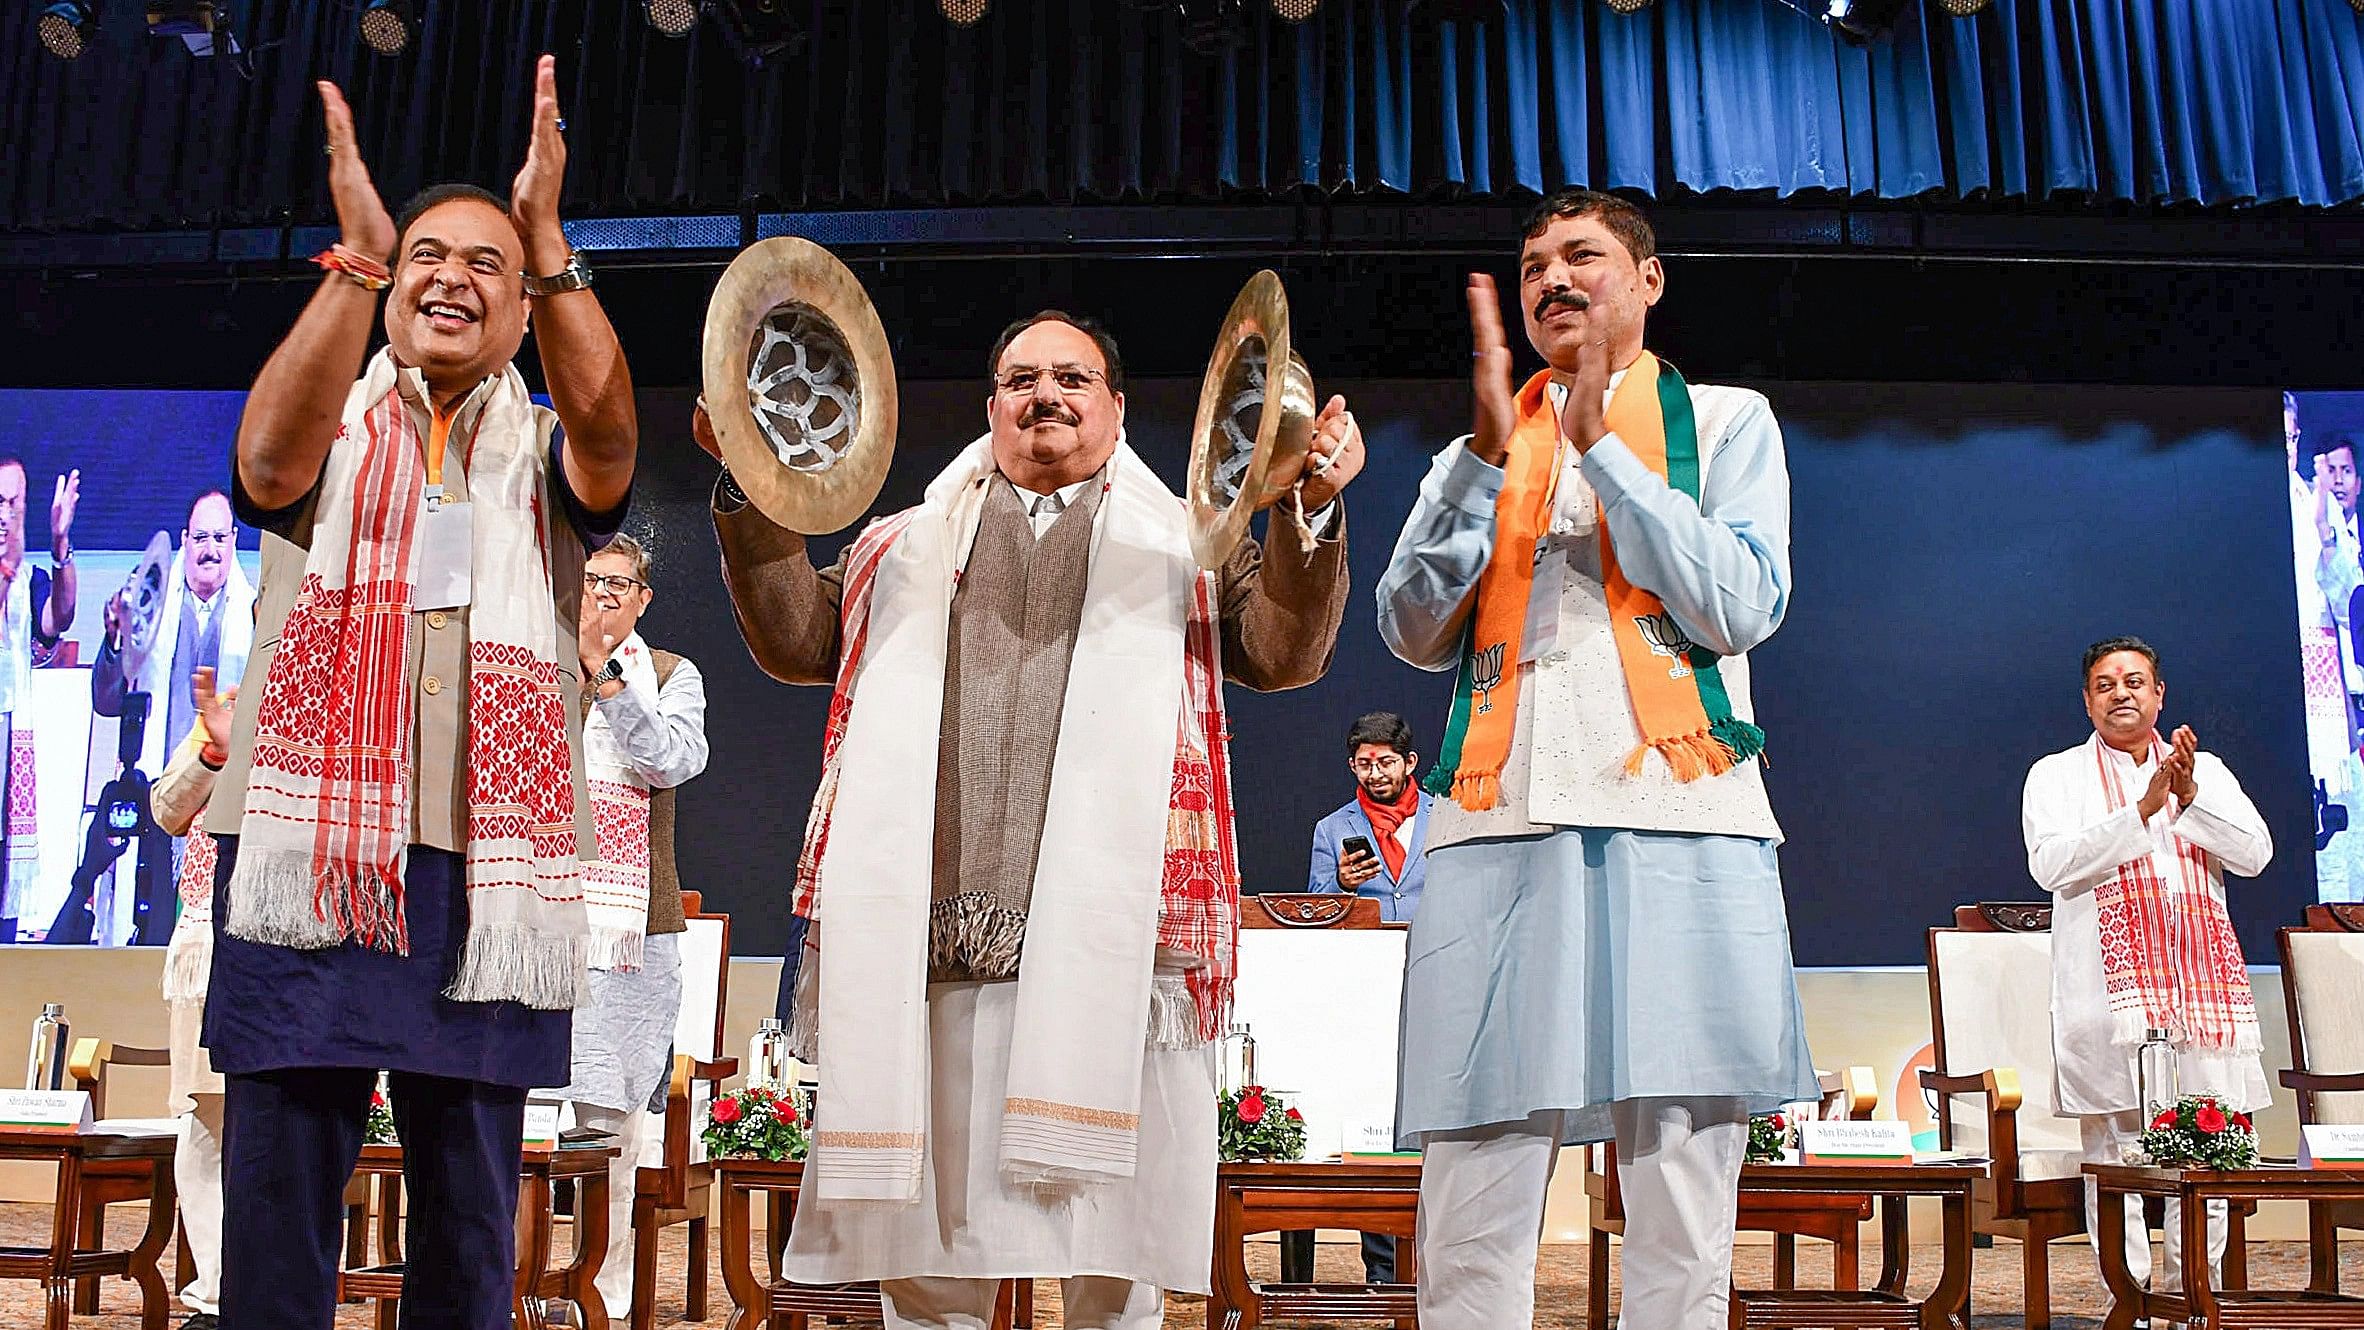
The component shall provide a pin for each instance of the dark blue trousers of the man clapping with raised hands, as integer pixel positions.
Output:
(290, 1147)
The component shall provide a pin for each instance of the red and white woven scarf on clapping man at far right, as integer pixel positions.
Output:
(2169, 953)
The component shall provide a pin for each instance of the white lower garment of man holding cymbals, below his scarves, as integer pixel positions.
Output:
(975, 1225)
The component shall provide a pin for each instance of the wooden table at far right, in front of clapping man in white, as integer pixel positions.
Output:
(2200, 1303)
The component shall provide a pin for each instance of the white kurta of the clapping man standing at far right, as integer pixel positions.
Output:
(2077, 842)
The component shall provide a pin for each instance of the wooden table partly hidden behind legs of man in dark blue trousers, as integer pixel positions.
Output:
(538, 1284)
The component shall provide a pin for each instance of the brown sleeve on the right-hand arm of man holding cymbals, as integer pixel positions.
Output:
(1282, 608)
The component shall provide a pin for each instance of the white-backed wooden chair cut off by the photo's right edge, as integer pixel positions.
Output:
(2323, 984)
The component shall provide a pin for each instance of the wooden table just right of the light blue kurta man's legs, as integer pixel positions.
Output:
(1885, 1303)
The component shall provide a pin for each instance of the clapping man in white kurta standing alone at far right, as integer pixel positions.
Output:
(2134, 835)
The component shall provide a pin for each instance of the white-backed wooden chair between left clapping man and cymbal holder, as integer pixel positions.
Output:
(675, 1182)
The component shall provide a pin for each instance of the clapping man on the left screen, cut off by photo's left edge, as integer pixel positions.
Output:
(37, 608)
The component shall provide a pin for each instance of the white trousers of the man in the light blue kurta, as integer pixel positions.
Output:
(1483, 1215)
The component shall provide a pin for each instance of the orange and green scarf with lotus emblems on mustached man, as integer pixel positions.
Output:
(1677, 693)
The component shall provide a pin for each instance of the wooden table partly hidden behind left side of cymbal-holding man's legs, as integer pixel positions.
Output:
(779, 1303)
